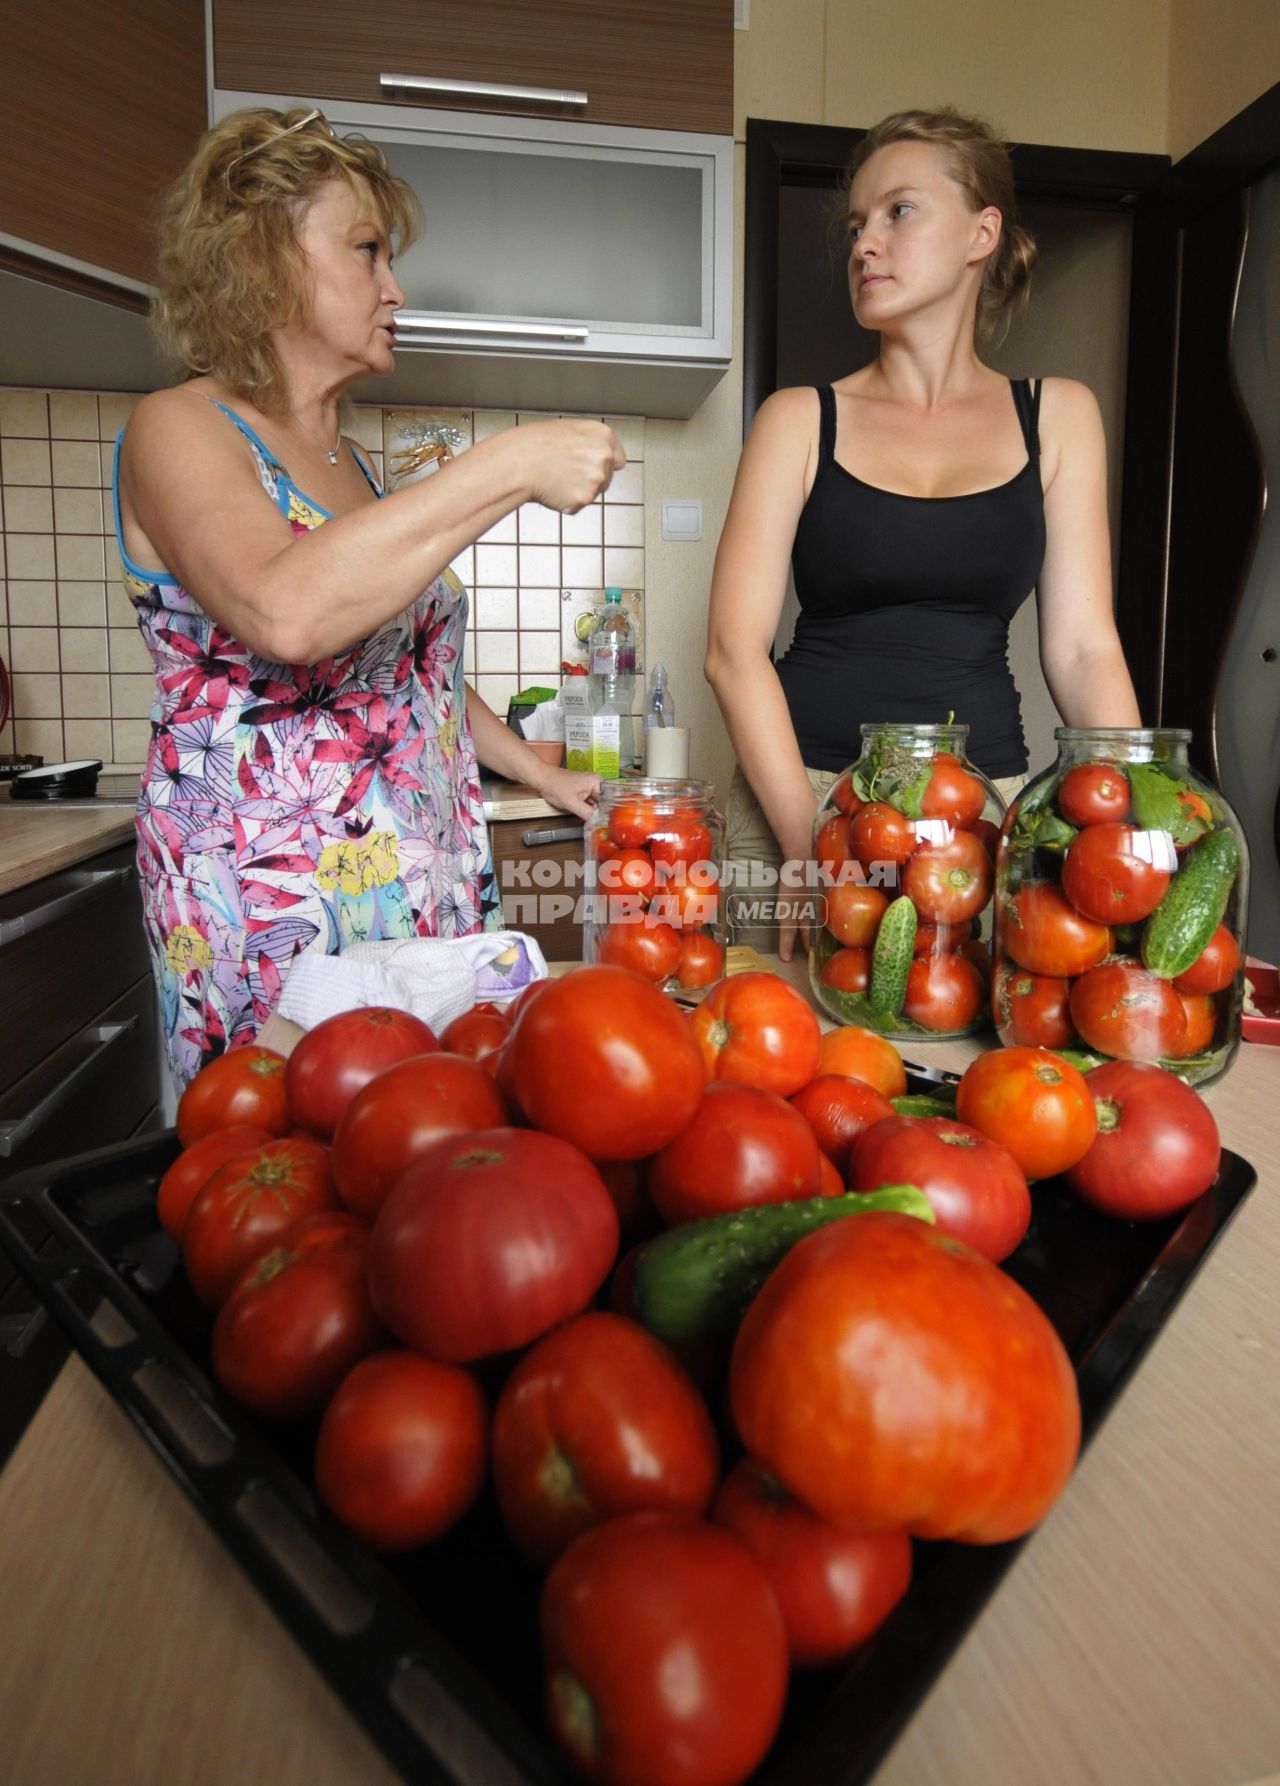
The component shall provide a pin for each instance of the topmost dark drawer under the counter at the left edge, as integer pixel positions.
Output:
(69, 947)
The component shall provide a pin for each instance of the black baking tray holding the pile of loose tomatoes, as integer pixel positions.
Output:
(436, 1653)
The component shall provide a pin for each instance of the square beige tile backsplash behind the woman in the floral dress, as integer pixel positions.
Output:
(79, 671)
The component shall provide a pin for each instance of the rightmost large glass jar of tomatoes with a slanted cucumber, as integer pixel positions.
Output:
(1122, 887)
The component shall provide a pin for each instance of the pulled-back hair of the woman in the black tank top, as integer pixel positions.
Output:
(979, 163)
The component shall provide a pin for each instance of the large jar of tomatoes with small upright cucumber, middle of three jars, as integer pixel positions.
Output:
(904, 847)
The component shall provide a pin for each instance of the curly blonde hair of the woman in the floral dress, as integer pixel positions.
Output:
(229, 262)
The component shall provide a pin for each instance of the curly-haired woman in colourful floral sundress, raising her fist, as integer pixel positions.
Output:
(313, 767)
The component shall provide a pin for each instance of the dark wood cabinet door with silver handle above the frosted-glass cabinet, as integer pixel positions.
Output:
(660, 63)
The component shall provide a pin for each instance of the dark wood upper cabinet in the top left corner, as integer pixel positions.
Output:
(101, 108)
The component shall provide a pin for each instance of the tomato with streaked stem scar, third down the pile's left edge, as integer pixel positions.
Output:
(245, 1208)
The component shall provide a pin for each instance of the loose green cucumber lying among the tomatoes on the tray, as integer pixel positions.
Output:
(699, 1280)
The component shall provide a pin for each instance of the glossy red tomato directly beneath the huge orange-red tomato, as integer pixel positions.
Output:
(835, 1587)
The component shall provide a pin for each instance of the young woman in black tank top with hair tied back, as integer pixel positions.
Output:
(920, 501)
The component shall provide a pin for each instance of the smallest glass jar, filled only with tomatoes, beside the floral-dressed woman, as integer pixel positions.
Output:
(654, 853)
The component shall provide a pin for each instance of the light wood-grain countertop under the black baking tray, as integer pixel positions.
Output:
(1133, 1644)
